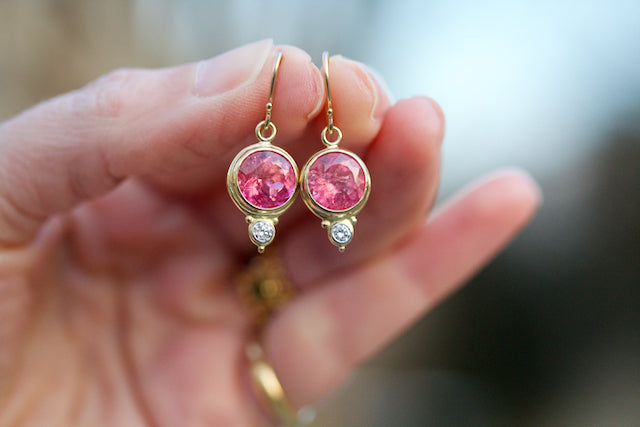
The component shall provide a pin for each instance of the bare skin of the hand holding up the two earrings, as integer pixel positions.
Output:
(119, 243)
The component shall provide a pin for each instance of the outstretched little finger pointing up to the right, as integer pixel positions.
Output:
(318, 339)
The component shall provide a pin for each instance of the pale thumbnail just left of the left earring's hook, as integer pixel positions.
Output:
(232, 69)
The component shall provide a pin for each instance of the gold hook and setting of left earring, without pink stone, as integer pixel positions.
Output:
(265, 132)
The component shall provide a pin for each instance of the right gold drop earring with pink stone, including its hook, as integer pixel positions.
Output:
(335, 182)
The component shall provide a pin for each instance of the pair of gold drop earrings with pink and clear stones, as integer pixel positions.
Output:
(263, 179)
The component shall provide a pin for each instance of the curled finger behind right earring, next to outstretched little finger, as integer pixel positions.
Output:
(404, 161)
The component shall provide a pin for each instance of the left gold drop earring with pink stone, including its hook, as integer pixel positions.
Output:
(263, 179)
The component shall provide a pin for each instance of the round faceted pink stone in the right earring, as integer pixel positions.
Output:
(336, 181)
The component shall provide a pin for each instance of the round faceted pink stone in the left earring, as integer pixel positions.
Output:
(266, 179)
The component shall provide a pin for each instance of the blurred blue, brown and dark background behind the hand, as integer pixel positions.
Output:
(549, 333)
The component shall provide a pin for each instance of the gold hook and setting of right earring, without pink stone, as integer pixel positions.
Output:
(331, 218)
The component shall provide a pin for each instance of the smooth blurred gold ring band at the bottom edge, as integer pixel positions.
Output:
(268, 388)
